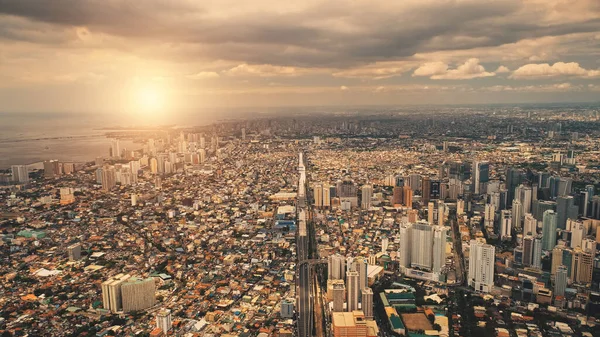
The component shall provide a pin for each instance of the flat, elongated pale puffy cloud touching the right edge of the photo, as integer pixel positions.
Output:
(558, 69)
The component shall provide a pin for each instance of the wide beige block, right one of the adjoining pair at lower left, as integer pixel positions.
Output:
(138, 294)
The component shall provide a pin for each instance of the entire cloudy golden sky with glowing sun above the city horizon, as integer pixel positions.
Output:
(183, 55)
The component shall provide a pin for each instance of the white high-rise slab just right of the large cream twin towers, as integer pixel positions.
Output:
(481, 266)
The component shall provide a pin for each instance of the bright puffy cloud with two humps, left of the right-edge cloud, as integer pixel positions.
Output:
(439, 71)
